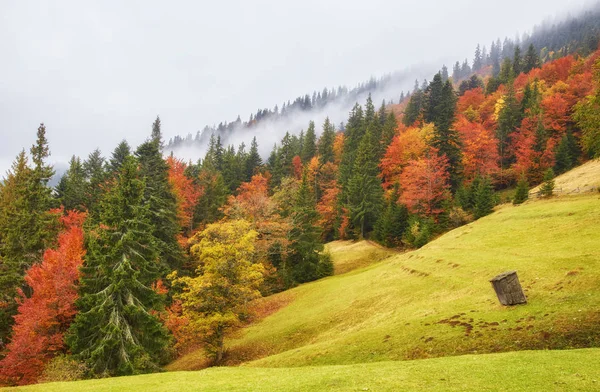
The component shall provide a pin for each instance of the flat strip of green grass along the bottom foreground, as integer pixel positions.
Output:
(569, 370)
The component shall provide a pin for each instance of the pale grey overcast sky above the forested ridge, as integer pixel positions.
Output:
(97, 72)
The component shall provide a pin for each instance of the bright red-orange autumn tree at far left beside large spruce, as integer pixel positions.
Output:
(44, 317)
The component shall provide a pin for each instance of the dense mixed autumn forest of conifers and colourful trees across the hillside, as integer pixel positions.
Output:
(134, 258)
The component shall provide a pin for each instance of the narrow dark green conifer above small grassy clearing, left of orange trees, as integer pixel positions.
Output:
(365, 194)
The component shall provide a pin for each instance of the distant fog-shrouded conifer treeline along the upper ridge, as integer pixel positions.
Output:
(549, 41)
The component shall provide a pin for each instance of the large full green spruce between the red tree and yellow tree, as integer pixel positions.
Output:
(115, 332)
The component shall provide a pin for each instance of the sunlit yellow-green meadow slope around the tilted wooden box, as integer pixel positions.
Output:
(437, 301)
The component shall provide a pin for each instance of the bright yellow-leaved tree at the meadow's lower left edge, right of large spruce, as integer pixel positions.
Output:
(228, 278)
